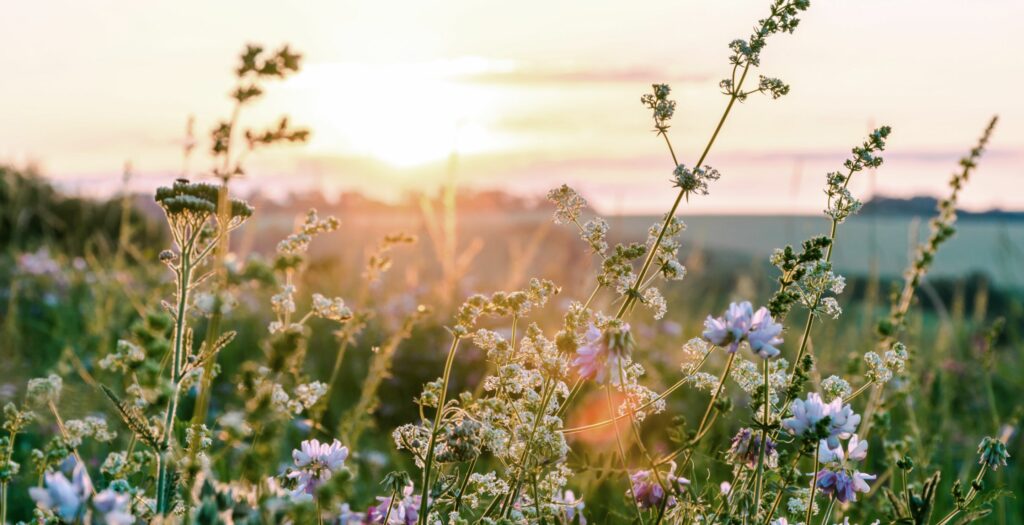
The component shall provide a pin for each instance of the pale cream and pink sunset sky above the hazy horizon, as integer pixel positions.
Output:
(527, 96)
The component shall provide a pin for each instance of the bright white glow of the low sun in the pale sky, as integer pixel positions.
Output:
(405, 115)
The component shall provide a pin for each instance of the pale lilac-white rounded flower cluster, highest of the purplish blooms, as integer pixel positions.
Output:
(741, 324)
